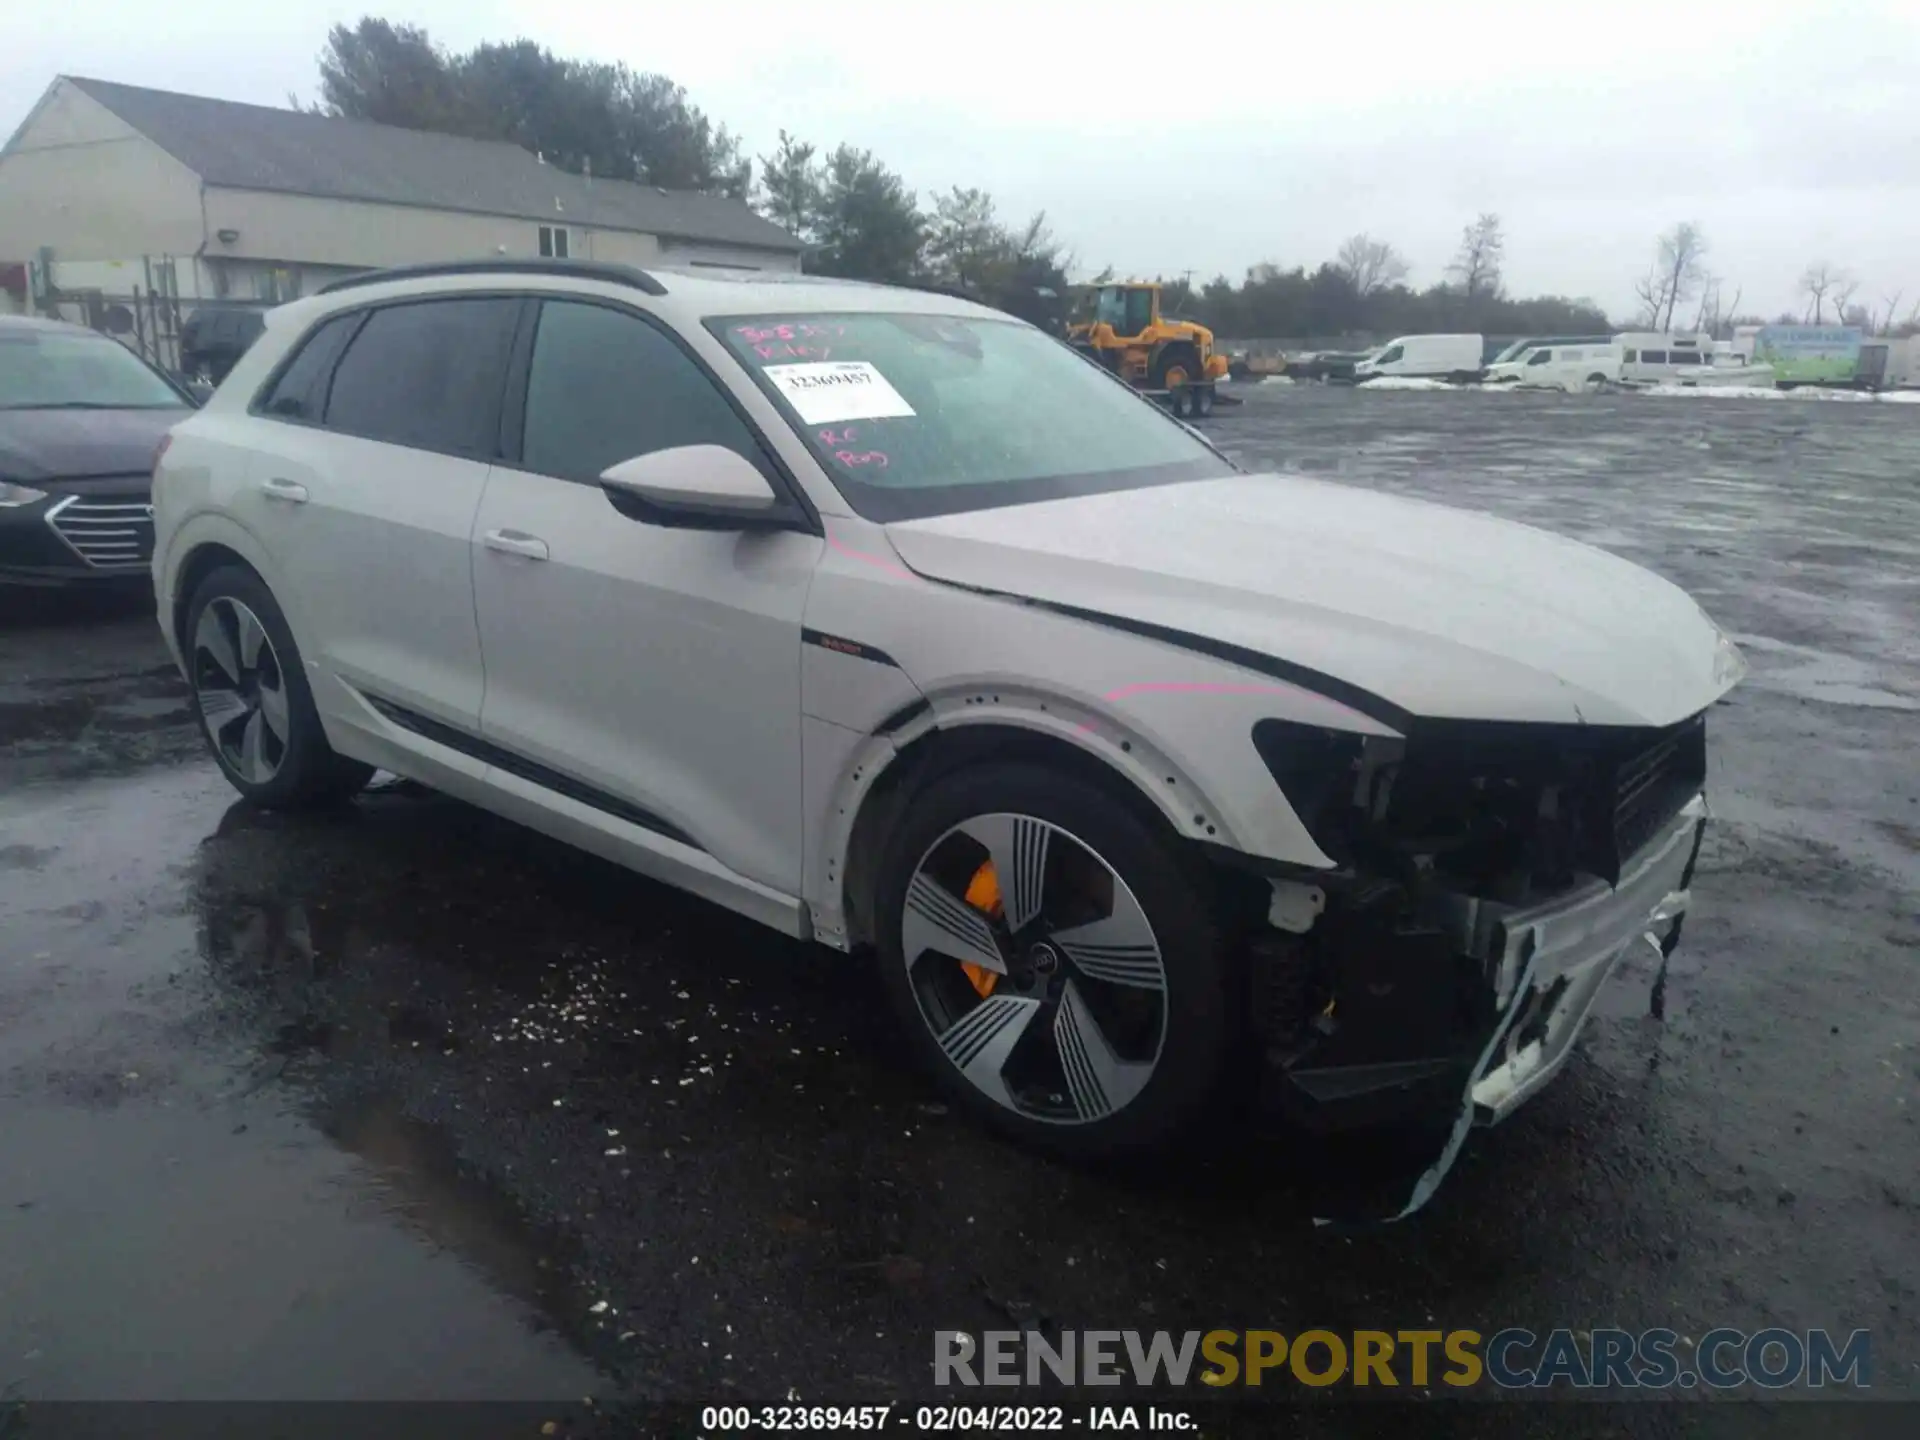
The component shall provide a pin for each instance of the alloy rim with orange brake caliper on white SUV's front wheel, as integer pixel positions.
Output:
(1036, 969)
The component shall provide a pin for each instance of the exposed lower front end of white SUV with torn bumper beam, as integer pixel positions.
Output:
(1424, 1011)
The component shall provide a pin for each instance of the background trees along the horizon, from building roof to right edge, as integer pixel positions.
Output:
(861, 220)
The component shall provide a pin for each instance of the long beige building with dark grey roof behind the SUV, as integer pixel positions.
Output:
(133, 206)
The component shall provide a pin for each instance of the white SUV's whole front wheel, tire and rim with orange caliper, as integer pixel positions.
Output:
(1065, 990)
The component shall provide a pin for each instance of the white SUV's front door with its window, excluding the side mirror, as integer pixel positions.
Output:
(654, 673)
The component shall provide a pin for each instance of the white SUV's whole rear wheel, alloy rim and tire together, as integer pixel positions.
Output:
(252, 698)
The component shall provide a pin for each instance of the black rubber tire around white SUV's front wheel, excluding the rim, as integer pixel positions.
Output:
(1178, 900)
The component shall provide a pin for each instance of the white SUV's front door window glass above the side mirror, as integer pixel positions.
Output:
(606, 387)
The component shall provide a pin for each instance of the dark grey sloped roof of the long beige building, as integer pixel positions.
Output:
(241, 147)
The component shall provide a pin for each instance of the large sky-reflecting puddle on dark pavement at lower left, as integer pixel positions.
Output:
(172, 1224)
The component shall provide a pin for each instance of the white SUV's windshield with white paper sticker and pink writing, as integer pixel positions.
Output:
(938, 414)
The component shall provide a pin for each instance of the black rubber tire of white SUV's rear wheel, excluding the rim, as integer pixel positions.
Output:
(308, 771)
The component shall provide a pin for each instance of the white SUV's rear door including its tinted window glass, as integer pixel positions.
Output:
(366, 500)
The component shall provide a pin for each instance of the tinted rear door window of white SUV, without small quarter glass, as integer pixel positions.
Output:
(427, 375)
